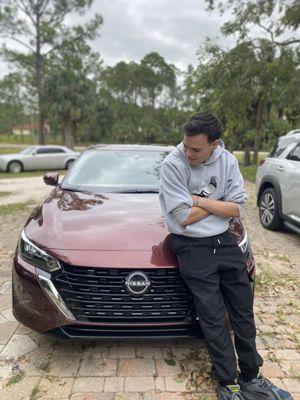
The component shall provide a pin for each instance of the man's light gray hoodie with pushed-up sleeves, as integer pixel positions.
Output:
(218, 178)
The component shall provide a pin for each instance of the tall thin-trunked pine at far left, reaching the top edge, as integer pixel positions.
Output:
(38, 27)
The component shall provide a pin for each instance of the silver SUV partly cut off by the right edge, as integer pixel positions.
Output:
(278, 185)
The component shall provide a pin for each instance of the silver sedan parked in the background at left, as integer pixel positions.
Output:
(38, 158)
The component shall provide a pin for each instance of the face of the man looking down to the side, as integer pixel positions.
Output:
(198, 149)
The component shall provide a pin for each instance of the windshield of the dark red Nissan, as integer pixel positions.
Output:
(116, 170)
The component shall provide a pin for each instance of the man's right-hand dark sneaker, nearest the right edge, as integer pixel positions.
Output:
(263, 389)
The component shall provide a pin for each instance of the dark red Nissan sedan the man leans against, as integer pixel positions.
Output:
(94, 259)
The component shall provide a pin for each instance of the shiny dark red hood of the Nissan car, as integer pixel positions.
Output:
(73, 224)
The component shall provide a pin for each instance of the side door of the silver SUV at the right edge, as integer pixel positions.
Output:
(291, 203)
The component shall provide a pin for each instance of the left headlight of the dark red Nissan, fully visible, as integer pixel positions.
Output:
(35, 256)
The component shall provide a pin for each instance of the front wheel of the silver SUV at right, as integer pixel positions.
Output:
(269, 210)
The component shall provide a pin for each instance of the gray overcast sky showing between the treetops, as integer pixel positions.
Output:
(132, 28)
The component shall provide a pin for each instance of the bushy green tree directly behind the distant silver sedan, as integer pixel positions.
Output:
(70, 88)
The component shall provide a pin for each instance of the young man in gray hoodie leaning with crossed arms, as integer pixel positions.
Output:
(201, 188)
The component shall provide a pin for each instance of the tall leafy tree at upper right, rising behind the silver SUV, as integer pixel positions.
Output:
(274, 46)
